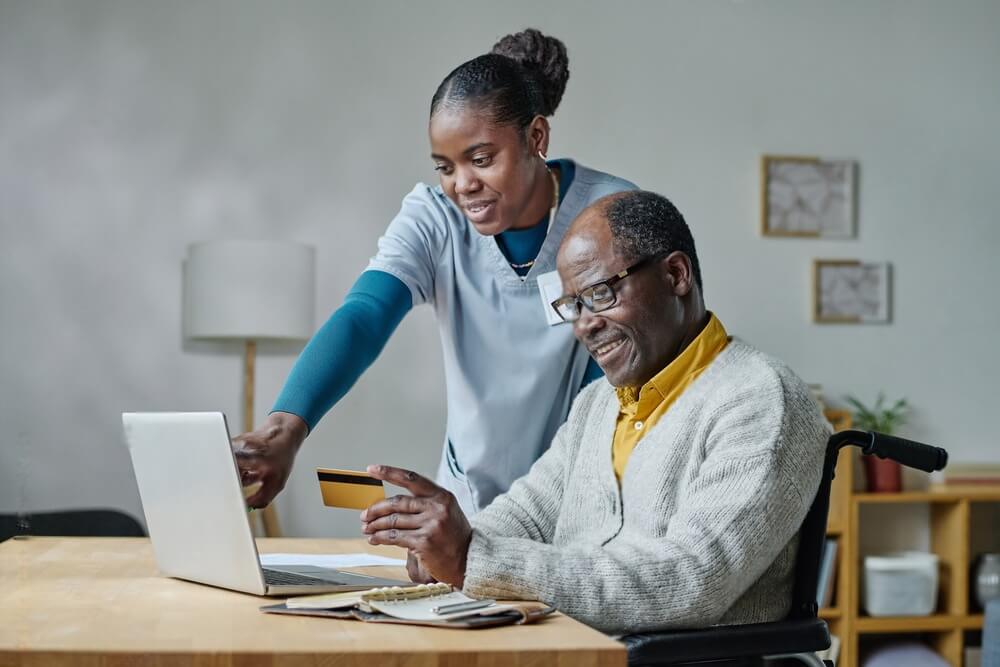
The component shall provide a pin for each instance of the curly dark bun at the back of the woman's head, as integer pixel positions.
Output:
(544, 60)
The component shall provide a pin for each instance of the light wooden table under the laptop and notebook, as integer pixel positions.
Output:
(100, 602)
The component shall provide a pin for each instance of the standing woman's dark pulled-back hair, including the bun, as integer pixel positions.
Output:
(523, 76)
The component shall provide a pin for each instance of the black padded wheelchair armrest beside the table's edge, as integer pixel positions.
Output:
(727, 641)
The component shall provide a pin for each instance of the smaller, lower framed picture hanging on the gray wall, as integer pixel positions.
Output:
(850, 291)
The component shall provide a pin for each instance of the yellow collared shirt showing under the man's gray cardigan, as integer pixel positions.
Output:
(642, 408)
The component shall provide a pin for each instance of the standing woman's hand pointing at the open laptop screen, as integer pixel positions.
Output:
(265, 456)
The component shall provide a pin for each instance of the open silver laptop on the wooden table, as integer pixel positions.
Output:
(196, 514)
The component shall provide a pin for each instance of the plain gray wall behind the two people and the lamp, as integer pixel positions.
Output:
(130, 129)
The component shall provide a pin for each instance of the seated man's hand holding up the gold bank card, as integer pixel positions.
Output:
(429, 523)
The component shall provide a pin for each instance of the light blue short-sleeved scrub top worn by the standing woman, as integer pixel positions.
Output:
(510, 376)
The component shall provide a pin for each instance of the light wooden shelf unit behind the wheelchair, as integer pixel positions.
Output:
(952, 511)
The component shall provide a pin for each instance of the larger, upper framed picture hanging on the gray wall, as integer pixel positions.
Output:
(808, 197)
